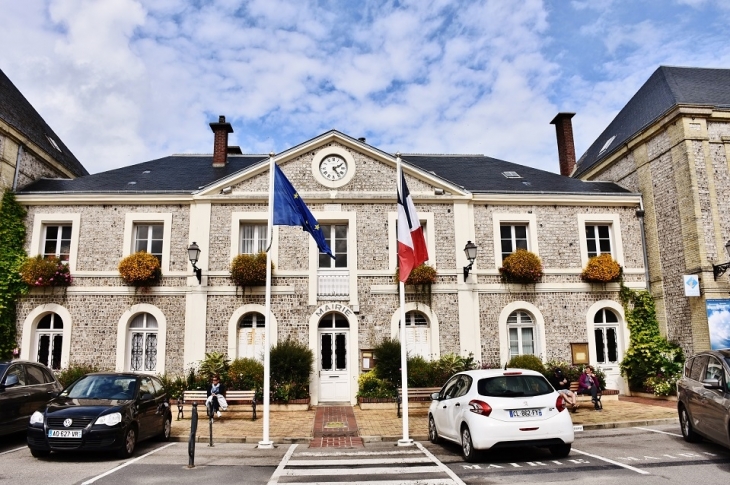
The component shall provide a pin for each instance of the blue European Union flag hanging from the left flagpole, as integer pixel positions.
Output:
(290, 210)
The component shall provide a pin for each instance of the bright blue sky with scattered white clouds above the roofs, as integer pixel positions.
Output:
(125, 81)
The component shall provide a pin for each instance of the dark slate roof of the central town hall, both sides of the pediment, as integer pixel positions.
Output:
(190, 173)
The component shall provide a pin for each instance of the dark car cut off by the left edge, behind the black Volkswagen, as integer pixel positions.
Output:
(25, 387)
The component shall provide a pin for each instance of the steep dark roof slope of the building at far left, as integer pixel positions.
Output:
(16, 111)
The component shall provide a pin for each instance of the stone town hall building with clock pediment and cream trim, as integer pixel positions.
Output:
(341, 308)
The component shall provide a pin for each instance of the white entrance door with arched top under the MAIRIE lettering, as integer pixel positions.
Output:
(334, 376)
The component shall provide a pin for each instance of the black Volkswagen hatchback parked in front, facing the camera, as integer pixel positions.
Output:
(102, 411)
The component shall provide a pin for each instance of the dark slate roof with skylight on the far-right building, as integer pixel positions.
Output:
(667, 87)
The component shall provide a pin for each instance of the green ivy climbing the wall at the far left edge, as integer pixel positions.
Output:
(12, 255)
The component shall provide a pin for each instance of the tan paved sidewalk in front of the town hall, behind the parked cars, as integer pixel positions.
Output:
(384, 425)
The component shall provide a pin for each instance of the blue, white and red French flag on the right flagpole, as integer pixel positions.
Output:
(411, 243)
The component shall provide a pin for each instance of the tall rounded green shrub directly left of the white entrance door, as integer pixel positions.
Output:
(291, 366)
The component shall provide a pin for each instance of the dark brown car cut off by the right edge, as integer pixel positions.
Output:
(703, 397)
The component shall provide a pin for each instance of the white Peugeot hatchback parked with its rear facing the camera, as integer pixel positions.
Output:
(499, 408)
